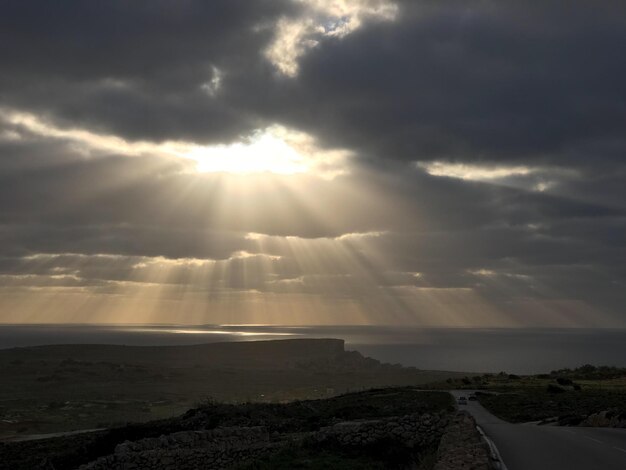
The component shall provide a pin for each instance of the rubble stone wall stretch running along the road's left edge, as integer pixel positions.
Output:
(462, 447)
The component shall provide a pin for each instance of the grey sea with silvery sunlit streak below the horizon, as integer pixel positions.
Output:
(513, 350)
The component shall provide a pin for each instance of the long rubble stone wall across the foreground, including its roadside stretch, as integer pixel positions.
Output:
(460, 446)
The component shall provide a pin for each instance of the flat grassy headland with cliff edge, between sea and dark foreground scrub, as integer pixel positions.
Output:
(52, 389)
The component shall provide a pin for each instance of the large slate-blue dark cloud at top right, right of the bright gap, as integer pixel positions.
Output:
(511, 81)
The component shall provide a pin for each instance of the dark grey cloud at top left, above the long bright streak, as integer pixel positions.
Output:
(134, 70)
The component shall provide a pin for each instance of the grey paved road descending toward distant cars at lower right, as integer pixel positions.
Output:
(531, 447)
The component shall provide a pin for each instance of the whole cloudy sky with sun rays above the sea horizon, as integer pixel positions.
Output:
(323, 162)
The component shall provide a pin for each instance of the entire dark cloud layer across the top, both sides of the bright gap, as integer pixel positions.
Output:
(455, 80)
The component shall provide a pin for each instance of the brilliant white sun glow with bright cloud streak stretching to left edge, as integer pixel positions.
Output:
(274, 149)
